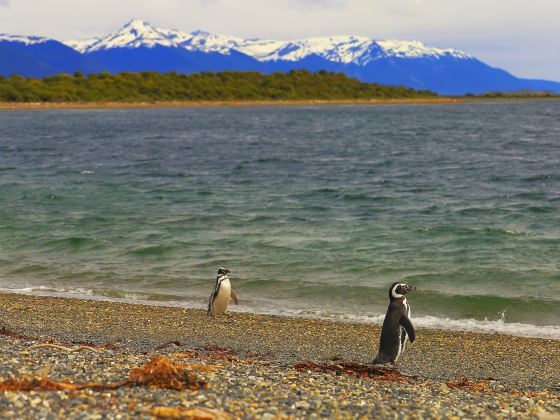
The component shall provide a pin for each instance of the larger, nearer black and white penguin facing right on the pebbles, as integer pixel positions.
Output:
(397, 327)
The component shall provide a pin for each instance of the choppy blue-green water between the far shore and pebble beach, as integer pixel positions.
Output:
(316, 210)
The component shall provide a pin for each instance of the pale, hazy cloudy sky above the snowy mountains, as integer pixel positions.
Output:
(517, 35)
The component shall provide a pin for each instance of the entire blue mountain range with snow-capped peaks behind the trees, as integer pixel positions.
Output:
(139, 46)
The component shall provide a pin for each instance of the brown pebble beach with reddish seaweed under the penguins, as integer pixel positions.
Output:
(72, 358)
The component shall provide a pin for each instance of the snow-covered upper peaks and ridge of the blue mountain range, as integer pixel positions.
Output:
(339, 49)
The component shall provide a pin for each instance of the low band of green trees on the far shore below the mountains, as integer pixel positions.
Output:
(206, 86)
